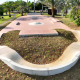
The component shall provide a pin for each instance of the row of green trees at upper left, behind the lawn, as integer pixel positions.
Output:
(19, 5)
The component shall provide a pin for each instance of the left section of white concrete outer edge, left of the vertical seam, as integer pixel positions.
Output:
(23, 69)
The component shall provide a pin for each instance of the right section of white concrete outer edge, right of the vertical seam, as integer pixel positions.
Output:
(64, 67)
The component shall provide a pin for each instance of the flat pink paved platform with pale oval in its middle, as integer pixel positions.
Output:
(48, 28)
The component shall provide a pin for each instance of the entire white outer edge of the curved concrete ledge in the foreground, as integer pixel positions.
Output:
(40, 71)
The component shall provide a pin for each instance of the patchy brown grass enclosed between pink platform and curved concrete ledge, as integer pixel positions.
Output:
(39, 50)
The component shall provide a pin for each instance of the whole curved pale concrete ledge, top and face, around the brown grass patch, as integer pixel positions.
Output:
(68, 59)
